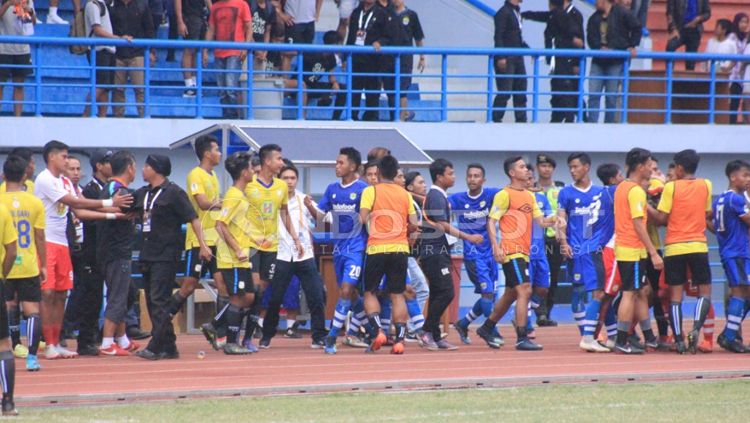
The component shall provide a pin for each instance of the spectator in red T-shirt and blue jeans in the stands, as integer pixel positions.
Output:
(230, 20)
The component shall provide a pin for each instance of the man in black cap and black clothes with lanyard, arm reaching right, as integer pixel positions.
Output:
(164, 207)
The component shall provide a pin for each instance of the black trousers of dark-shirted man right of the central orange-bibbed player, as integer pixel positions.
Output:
(437, 269)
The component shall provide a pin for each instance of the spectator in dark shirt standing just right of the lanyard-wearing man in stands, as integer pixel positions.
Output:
(403, 29)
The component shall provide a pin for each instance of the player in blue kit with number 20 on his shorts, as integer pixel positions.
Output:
(341, 200)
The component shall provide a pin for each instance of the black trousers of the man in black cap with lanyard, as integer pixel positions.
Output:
(158, 282)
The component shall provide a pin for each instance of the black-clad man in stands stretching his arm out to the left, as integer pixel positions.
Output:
(564, 31)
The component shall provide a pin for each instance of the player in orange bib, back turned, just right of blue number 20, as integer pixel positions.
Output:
(389, 212)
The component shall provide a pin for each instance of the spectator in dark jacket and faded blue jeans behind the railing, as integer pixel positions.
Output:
(611, 27)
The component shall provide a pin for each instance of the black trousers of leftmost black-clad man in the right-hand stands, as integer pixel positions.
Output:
(510, 78)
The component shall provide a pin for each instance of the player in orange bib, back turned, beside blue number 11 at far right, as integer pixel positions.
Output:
(685, 208)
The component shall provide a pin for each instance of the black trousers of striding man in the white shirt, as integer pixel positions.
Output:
(312, 286)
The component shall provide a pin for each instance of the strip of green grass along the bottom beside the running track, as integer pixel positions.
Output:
(696, 401)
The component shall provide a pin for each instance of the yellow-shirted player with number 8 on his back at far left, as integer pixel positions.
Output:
(23, 283)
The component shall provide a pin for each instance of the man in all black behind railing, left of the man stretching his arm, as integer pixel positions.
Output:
(510, 71)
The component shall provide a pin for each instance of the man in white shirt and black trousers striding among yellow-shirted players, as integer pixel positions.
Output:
(289, 263)
